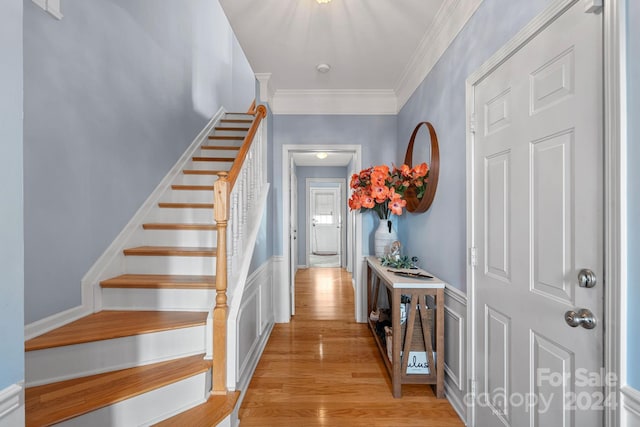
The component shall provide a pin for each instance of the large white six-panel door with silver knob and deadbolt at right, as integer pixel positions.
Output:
(537, 222)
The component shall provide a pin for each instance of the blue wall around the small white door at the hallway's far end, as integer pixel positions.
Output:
(304, 172)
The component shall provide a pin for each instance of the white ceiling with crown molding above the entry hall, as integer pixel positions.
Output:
(378, 50)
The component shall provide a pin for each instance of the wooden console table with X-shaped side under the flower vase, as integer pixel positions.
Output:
(418, 290)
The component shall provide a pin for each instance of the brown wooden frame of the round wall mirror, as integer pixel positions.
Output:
(414, 204)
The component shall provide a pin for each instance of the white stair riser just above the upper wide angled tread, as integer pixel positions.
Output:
(158, 299)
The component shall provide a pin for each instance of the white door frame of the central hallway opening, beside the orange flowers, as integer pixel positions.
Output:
(360, 295)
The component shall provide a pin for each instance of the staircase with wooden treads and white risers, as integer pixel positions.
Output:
(146, 355)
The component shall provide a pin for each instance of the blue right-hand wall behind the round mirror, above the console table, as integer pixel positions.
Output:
(438, 237)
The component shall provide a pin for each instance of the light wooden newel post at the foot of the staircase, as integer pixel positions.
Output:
(221, 215)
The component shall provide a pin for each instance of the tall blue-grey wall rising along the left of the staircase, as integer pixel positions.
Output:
(114, 93)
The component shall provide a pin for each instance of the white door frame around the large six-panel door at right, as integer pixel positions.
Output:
(614, 188)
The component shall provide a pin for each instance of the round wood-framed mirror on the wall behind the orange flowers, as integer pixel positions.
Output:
(423, 146)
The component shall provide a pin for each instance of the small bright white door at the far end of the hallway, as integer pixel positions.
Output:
(324, 217)
